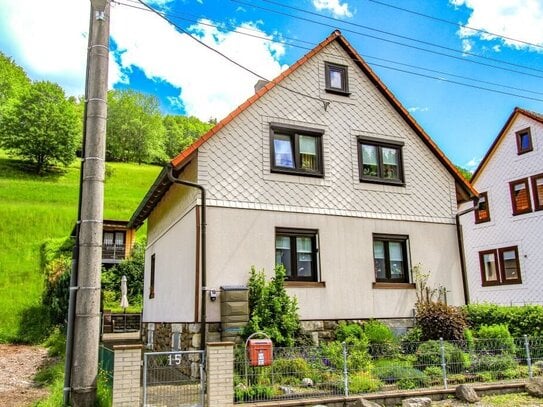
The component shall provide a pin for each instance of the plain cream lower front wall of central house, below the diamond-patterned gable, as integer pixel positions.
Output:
(239, 239)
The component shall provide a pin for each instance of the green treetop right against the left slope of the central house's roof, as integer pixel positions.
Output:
(182, 131)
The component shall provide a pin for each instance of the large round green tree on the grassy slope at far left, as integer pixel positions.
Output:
(41, 127)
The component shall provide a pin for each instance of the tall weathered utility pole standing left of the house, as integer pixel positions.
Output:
(86, 324)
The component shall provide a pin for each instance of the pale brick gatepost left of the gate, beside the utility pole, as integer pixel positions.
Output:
(126, 375)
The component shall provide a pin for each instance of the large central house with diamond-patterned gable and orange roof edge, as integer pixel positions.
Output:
(321, 170)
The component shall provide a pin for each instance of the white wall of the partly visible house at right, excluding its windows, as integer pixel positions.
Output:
(504, 229)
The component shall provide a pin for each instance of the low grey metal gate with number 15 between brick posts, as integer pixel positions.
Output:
(173, 379)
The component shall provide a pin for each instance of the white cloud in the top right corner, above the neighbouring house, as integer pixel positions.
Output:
(518, 19)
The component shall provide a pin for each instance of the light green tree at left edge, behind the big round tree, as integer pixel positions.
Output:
(13, 82)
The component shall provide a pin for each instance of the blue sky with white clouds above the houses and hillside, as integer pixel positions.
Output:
(404, 41)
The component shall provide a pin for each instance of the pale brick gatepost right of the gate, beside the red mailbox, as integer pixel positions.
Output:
(220, 374)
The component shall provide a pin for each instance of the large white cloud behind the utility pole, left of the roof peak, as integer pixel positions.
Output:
(50, 46)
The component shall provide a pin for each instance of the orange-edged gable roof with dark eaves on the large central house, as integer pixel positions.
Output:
(162, 184)
